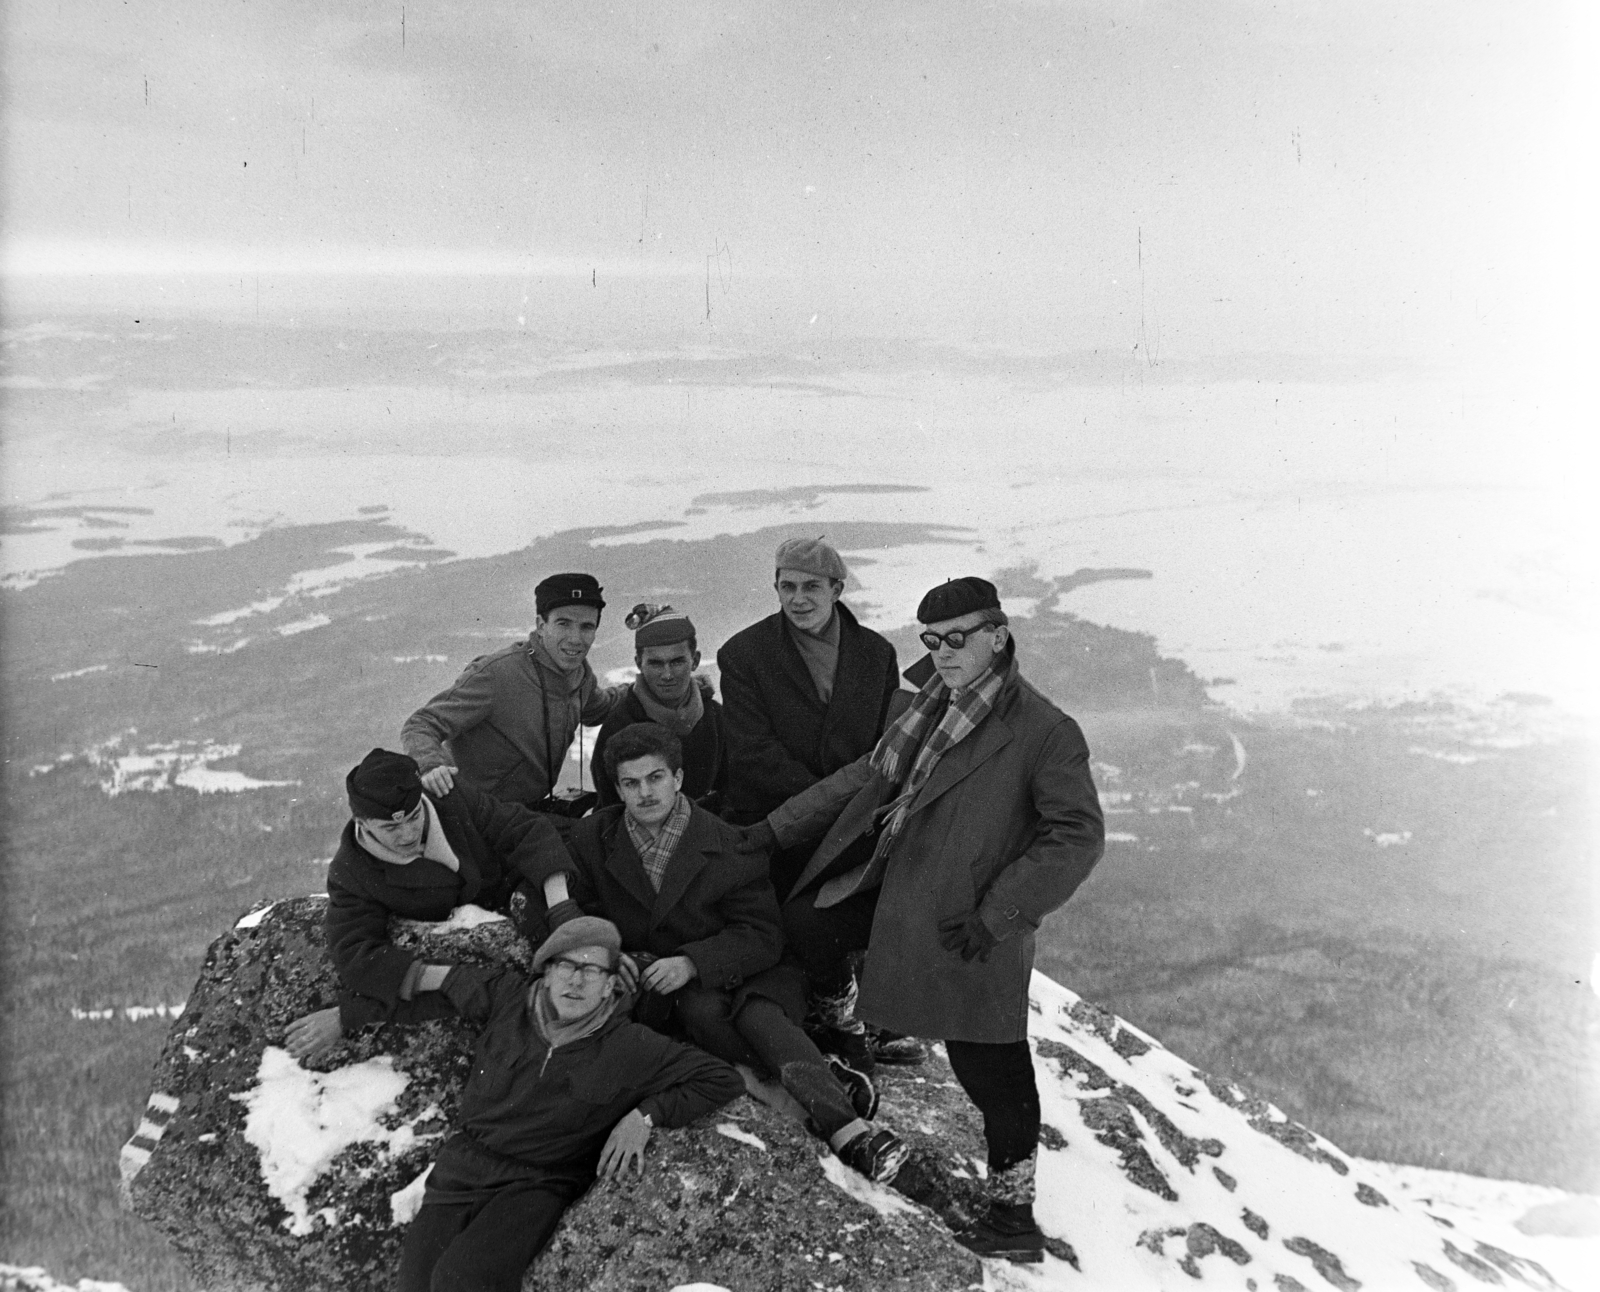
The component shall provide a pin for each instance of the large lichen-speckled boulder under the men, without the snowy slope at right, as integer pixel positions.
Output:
(274, 1176)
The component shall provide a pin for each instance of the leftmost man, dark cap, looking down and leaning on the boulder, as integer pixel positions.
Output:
(418, 856)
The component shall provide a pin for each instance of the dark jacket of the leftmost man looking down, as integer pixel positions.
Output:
(500, 847)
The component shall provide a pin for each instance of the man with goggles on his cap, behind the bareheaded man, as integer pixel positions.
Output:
(668, 692)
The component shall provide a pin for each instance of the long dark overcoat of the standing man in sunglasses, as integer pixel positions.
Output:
(1007, 826)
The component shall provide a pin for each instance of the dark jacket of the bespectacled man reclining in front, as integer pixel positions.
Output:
(530, 1111)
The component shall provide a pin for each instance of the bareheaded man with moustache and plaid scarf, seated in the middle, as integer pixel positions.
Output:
(703, 922)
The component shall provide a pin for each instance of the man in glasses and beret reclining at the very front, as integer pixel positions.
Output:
(564, 1088)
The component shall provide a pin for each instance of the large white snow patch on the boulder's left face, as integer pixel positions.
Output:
(300, 1122)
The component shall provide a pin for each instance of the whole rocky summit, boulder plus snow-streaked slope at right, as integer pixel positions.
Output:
(273, 1176)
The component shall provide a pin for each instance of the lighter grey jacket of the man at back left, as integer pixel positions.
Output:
(508, 720)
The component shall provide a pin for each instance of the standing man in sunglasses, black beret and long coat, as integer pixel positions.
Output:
(982, 818)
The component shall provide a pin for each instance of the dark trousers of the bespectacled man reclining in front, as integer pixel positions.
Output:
(482, 1246)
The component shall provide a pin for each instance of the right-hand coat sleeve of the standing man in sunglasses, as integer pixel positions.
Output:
(1068, 842)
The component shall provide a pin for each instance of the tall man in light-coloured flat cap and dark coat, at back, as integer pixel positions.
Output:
(807, 692)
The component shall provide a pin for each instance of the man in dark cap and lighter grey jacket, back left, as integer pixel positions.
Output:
(510, 719)
